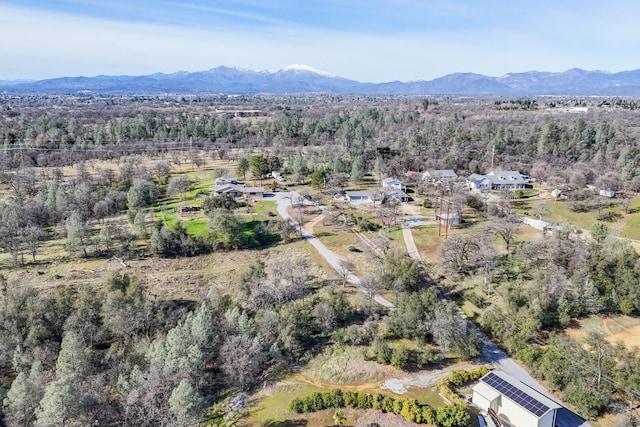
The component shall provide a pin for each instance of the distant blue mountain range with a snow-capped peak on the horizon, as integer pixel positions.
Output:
(300, 79)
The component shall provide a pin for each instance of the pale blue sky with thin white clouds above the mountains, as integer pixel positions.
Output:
(364, 40)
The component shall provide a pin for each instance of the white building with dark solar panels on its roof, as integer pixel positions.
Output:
(507, 399)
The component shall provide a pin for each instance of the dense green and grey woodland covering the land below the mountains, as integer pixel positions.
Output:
(118, 354)
